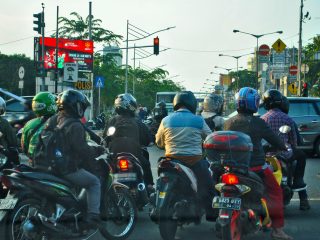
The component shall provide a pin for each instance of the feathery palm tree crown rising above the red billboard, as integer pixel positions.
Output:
(78, 28)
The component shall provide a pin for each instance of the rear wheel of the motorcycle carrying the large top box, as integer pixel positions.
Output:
(232, 231)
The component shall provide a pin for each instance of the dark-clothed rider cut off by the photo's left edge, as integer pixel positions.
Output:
(8, 139)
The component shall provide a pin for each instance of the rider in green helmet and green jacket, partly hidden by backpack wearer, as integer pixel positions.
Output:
(44, 106)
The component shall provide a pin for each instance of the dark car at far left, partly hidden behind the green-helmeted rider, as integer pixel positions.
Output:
(16, 112)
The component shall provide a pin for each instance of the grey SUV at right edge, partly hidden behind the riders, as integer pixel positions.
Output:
(305, 111)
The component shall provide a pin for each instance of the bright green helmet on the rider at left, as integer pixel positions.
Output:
(44, 103)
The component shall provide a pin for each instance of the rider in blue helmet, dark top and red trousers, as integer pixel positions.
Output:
(247, 100)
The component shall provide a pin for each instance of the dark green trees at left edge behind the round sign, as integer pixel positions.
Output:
(9, 78)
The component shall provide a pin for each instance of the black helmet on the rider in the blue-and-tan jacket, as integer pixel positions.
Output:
(185, 99)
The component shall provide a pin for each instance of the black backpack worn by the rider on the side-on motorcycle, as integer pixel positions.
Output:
(52, 153)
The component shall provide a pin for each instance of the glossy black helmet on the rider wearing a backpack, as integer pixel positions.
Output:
(73, 102)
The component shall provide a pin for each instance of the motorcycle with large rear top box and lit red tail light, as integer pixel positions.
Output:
(242, 208)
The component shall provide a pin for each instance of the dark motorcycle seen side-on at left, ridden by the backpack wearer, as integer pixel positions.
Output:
(43, 206)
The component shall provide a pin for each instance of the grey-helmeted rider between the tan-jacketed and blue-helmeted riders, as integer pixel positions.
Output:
(212, 109)
